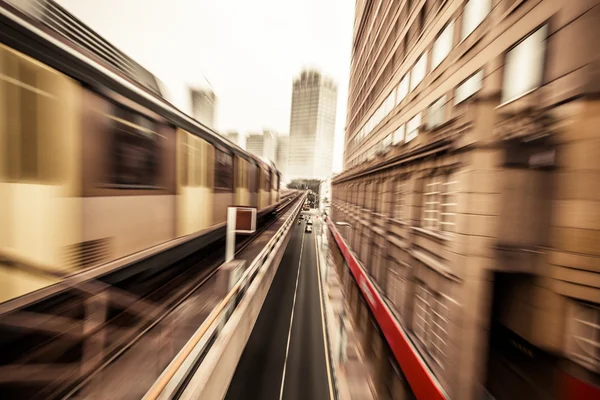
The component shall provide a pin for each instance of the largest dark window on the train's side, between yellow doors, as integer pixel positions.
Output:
(134, 150)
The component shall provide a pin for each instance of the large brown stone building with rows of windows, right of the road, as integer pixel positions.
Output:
(472, 162)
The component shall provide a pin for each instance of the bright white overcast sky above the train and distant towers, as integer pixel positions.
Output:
(249, 50)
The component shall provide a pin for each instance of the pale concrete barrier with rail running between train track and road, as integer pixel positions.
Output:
(216, 347)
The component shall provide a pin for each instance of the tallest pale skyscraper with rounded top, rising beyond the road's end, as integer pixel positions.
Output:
(312, 124)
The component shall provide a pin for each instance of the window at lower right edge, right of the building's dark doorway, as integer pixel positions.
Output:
(583, 339)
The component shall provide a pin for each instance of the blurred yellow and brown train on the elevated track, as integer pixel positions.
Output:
(94, 163)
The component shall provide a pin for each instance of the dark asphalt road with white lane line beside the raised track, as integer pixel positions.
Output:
(285, 355)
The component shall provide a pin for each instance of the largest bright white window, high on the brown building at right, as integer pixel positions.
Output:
(524, 67)
